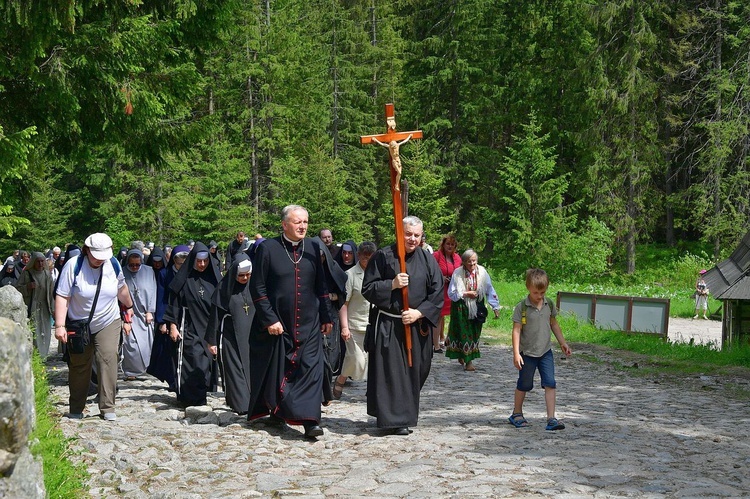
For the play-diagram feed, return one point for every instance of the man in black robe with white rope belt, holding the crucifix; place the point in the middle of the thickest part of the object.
(393, 387)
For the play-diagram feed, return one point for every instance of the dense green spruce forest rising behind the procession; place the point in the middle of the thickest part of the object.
(557, 133)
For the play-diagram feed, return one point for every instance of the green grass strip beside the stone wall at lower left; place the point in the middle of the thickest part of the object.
(62, 479)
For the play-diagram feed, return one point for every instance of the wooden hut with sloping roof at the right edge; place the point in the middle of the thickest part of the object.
(729, 282)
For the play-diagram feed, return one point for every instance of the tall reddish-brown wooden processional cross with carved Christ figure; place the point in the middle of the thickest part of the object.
(393, 140)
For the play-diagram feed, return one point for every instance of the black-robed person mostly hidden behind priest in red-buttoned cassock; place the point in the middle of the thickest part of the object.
(336, 282)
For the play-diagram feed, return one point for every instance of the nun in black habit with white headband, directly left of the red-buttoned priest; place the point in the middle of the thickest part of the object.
(228, 335)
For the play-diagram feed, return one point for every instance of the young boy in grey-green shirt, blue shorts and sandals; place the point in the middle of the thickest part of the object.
(533, 319)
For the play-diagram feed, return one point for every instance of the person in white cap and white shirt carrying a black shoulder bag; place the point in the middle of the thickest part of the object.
(89, 288)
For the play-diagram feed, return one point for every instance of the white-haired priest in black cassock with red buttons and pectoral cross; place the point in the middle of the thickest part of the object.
(291, 315)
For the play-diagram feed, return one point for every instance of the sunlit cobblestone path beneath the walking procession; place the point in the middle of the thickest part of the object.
(627, 435)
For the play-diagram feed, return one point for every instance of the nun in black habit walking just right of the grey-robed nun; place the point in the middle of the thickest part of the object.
(187, 318)
